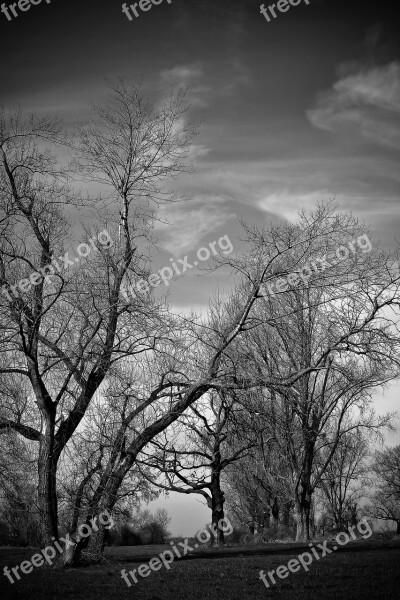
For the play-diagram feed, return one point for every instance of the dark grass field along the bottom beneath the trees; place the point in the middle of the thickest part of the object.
(365, 569)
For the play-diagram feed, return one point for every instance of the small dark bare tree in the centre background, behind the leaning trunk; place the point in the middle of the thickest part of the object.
(192, 457)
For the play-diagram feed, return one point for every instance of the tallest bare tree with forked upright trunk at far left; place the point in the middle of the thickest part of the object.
(63, 328)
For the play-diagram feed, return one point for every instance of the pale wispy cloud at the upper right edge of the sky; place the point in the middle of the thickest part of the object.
(367, 103)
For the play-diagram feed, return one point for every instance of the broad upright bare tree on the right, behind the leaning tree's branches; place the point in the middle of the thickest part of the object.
(332, 326)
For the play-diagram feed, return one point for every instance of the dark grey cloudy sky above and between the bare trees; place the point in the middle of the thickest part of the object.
(300, 109)
